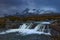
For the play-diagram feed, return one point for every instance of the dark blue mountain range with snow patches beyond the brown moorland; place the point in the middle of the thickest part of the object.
(34, 12)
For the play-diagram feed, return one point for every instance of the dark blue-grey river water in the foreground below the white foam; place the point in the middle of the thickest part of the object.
(16, 36)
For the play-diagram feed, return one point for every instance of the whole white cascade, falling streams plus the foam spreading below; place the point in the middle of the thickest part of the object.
(25, 29)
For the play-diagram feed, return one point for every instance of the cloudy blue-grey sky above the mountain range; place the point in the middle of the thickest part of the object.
(13, 6)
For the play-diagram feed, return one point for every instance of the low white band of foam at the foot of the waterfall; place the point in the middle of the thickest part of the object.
(24, 31)
